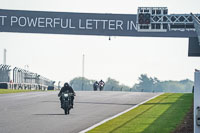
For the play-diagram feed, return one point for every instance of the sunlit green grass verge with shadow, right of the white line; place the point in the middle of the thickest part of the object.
(160, 115)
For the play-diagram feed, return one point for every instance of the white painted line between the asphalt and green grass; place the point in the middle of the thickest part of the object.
(112, 117)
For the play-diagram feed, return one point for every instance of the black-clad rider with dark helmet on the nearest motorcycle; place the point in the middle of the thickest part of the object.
(69, 89)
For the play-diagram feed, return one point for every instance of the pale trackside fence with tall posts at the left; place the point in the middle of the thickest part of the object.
(23, 79)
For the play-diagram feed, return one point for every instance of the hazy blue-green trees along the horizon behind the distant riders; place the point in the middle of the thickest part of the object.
(146, 84)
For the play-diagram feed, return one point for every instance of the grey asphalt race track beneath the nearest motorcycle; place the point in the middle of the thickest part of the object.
(40, 112)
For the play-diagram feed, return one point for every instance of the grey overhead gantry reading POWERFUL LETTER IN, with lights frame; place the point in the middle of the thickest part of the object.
(148, 22)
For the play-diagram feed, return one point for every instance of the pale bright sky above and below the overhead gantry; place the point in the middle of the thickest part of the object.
(59, 57)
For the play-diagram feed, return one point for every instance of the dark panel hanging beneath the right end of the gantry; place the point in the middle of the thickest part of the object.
(194, 47)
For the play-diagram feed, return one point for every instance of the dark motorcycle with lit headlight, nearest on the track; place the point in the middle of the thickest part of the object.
(66, 102)
